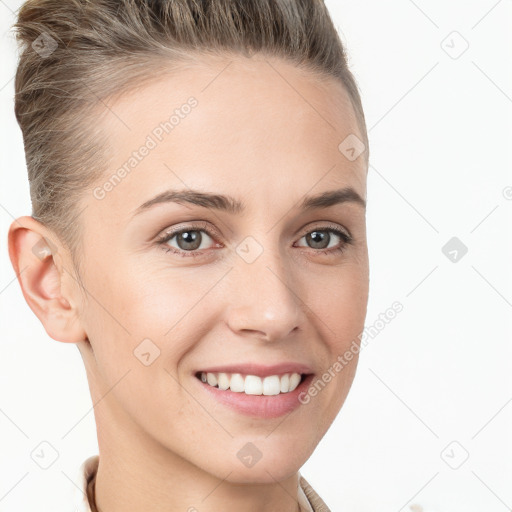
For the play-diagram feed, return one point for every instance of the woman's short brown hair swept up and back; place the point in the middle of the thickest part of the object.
(102, 48)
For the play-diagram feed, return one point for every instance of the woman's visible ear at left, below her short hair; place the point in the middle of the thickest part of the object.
(39, 260)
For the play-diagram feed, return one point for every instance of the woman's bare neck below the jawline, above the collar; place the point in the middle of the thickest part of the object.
(137, 473)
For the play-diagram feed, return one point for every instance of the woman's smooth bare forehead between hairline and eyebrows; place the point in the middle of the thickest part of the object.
(230, 123)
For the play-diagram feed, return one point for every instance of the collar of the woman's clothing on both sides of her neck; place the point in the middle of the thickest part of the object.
(308, 499)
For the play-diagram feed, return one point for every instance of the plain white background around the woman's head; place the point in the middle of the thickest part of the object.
(434, 386)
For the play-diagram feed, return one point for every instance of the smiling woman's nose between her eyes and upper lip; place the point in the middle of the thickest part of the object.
(266, 303)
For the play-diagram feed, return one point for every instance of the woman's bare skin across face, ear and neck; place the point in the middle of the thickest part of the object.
(253, 137)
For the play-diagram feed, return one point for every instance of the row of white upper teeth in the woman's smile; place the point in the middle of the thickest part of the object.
(252, 384)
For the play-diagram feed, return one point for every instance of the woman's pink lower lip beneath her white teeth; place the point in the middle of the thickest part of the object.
(261, 406)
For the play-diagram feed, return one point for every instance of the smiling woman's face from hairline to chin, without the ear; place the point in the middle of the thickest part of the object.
(258, 282)
